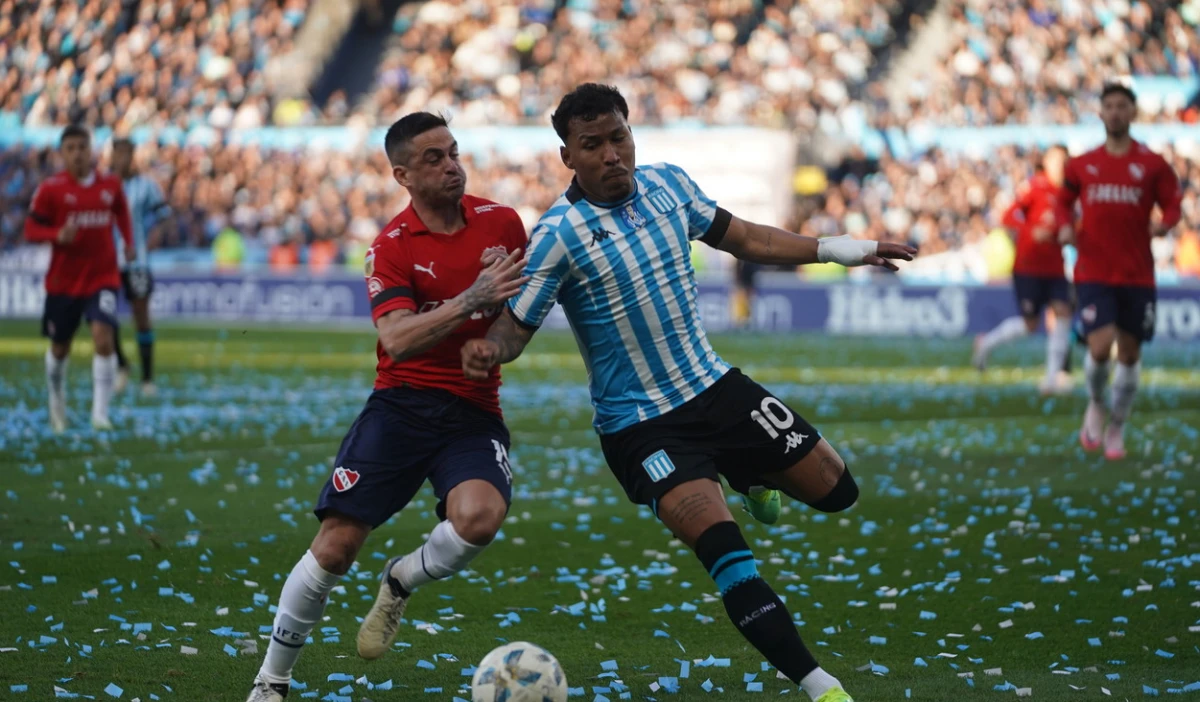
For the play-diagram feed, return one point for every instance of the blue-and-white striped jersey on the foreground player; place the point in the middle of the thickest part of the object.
(623, 274)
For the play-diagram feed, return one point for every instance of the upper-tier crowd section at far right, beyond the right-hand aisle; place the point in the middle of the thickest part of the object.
(1034, 62)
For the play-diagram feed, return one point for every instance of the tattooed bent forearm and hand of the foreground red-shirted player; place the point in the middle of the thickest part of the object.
(405, 334)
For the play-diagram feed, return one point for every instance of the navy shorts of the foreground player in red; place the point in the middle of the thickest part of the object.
(405, 436)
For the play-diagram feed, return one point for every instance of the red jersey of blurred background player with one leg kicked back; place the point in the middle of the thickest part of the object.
(1037, 208)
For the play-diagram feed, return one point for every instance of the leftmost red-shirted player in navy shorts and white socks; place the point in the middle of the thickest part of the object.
(75, 211)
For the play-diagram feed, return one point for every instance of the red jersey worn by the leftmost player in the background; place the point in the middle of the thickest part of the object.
(88, 265)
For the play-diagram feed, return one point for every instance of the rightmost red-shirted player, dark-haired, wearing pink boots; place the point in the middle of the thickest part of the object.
(1118, 185)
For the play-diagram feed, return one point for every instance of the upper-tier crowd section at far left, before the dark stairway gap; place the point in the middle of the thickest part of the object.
(151, 63)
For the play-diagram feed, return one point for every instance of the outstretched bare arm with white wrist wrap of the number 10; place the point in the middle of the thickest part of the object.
(776, 247)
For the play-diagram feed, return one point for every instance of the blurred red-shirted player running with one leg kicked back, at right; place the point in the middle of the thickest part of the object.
(1040, 279)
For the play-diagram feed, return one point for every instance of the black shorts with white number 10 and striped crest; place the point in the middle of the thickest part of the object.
(736, 430)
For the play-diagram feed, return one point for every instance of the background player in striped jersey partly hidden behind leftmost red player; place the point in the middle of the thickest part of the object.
(148, 211)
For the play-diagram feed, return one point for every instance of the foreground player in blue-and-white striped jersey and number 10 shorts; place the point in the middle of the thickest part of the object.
(673, 416)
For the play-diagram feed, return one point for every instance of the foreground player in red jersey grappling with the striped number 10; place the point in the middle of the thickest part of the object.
(437, 277)
